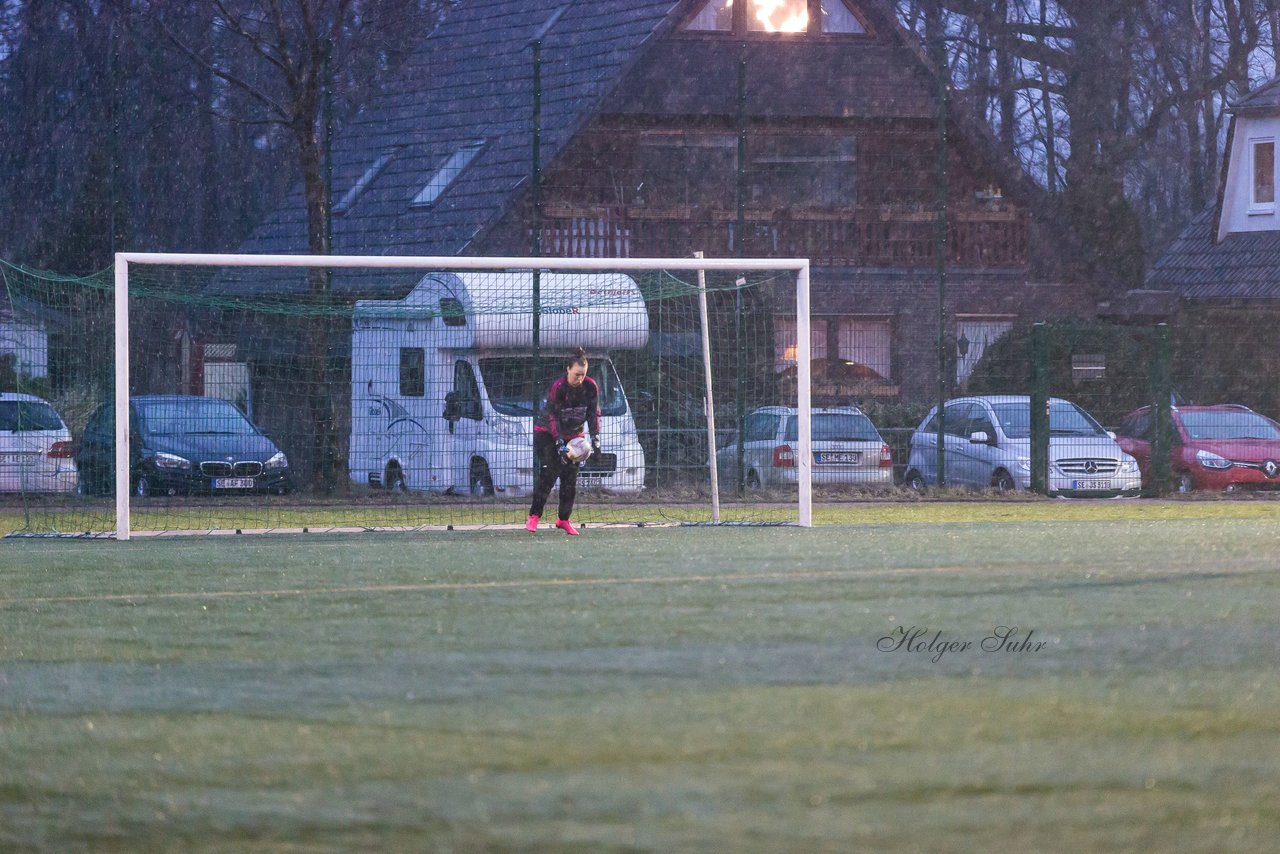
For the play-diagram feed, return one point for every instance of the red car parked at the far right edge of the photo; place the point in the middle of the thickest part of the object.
(1226, 447)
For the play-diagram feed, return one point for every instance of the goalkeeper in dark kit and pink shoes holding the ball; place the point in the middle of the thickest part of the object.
(573, 404)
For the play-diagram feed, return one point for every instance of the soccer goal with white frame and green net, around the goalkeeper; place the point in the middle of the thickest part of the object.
(310, 394)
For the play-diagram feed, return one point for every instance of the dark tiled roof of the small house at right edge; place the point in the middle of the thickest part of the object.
(1244, 267)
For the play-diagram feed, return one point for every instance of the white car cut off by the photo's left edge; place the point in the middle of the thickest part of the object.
(36, 453)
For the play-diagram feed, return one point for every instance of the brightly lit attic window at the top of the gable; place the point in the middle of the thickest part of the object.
(829, 17)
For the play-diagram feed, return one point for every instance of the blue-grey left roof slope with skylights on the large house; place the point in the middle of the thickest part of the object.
(472, 80)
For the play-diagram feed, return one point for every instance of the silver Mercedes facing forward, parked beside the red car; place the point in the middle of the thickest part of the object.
(989, 446)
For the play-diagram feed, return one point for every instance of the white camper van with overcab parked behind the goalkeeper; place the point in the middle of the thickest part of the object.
(445, 382)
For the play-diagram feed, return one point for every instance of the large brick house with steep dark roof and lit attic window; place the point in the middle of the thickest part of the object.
(646, 107)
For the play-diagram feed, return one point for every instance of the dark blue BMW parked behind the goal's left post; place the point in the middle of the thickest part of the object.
(182, 445)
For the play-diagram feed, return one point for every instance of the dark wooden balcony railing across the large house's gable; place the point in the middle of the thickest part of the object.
(857, 238)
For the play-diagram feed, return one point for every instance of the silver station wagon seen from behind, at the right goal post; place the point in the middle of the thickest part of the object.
(847, 449)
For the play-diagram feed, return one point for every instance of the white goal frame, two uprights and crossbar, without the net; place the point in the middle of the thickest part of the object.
(125, 261)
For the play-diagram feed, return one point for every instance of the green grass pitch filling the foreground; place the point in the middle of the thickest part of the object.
(738, 689)
